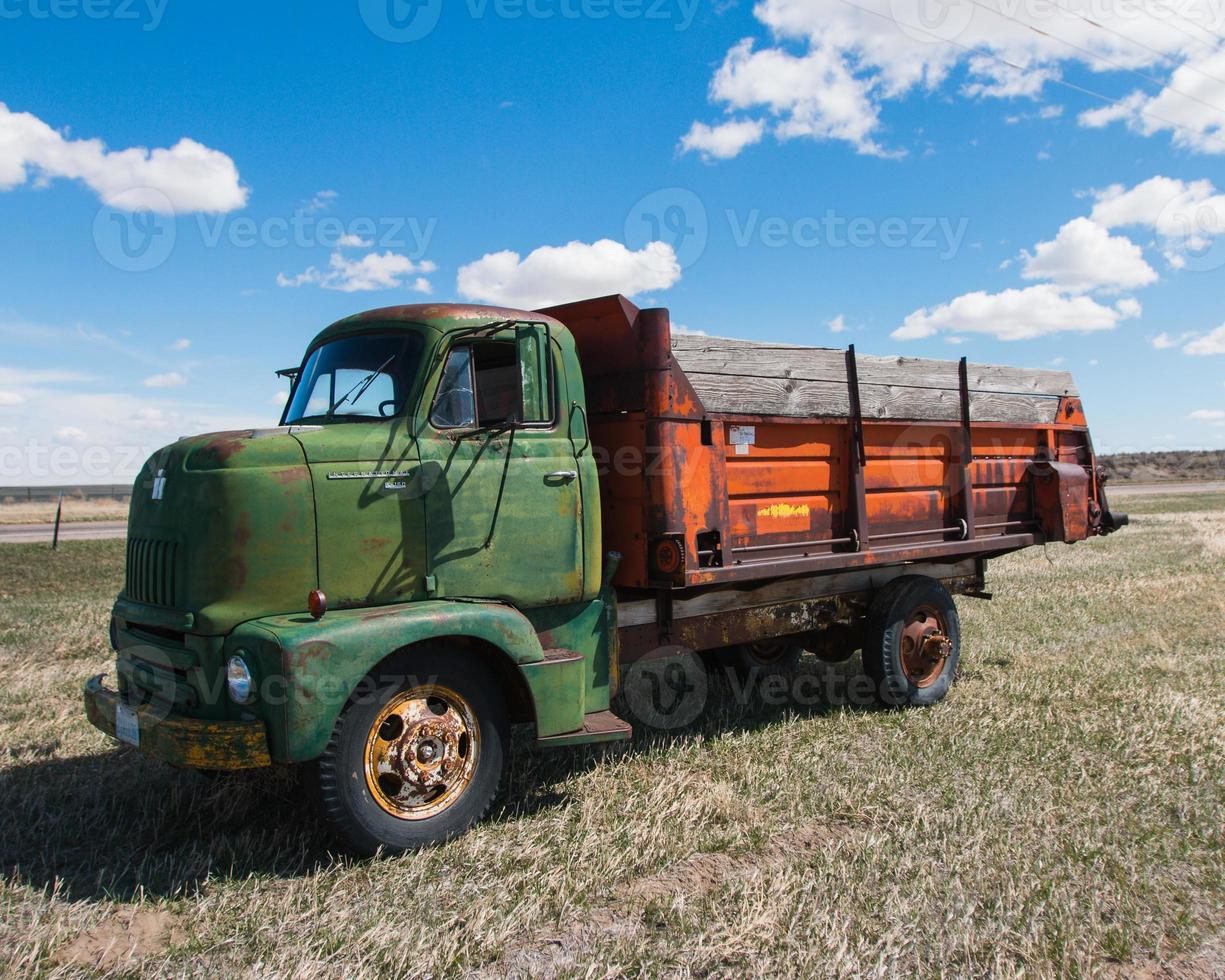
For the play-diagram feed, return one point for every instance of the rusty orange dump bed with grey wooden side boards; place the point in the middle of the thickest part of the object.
(728, 461)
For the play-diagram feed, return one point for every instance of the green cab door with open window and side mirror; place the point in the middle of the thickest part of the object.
(503, 513)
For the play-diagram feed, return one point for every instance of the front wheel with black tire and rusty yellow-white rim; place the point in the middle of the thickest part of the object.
(372, 808)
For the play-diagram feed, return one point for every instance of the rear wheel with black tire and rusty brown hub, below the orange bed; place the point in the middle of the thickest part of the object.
(921, 672)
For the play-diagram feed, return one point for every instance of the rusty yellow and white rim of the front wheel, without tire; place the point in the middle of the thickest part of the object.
(422, 753)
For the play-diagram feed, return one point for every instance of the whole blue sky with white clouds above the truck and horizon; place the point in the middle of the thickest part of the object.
(190, 192)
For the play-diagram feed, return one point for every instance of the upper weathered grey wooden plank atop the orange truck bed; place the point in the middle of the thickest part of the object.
(738, 358)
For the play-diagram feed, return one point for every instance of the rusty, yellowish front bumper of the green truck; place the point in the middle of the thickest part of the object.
(183, 742)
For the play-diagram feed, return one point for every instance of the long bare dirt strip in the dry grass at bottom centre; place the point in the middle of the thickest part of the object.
(546, 954)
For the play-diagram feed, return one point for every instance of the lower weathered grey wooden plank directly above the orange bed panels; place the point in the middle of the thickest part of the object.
(798, 398)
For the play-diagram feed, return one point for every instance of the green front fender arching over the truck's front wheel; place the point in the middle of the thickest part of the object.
(307, 671)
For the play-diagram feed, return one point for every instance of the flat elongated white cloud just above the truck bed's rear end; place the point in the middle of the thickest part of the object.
(1016, 315)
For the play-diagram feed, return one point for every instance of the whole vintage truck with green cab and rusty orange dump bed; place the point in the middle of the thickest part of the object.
(471, 518)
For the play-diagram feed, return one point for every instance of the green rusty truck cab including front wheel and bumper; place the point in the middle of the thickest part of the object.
(380, 585)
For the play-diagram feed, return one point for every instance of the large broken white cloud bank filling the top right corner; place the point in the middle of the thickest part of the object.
(826, 68)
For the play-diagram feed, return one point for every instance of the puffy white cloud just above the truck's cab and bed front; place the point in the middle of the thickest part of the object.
(553, 275)
